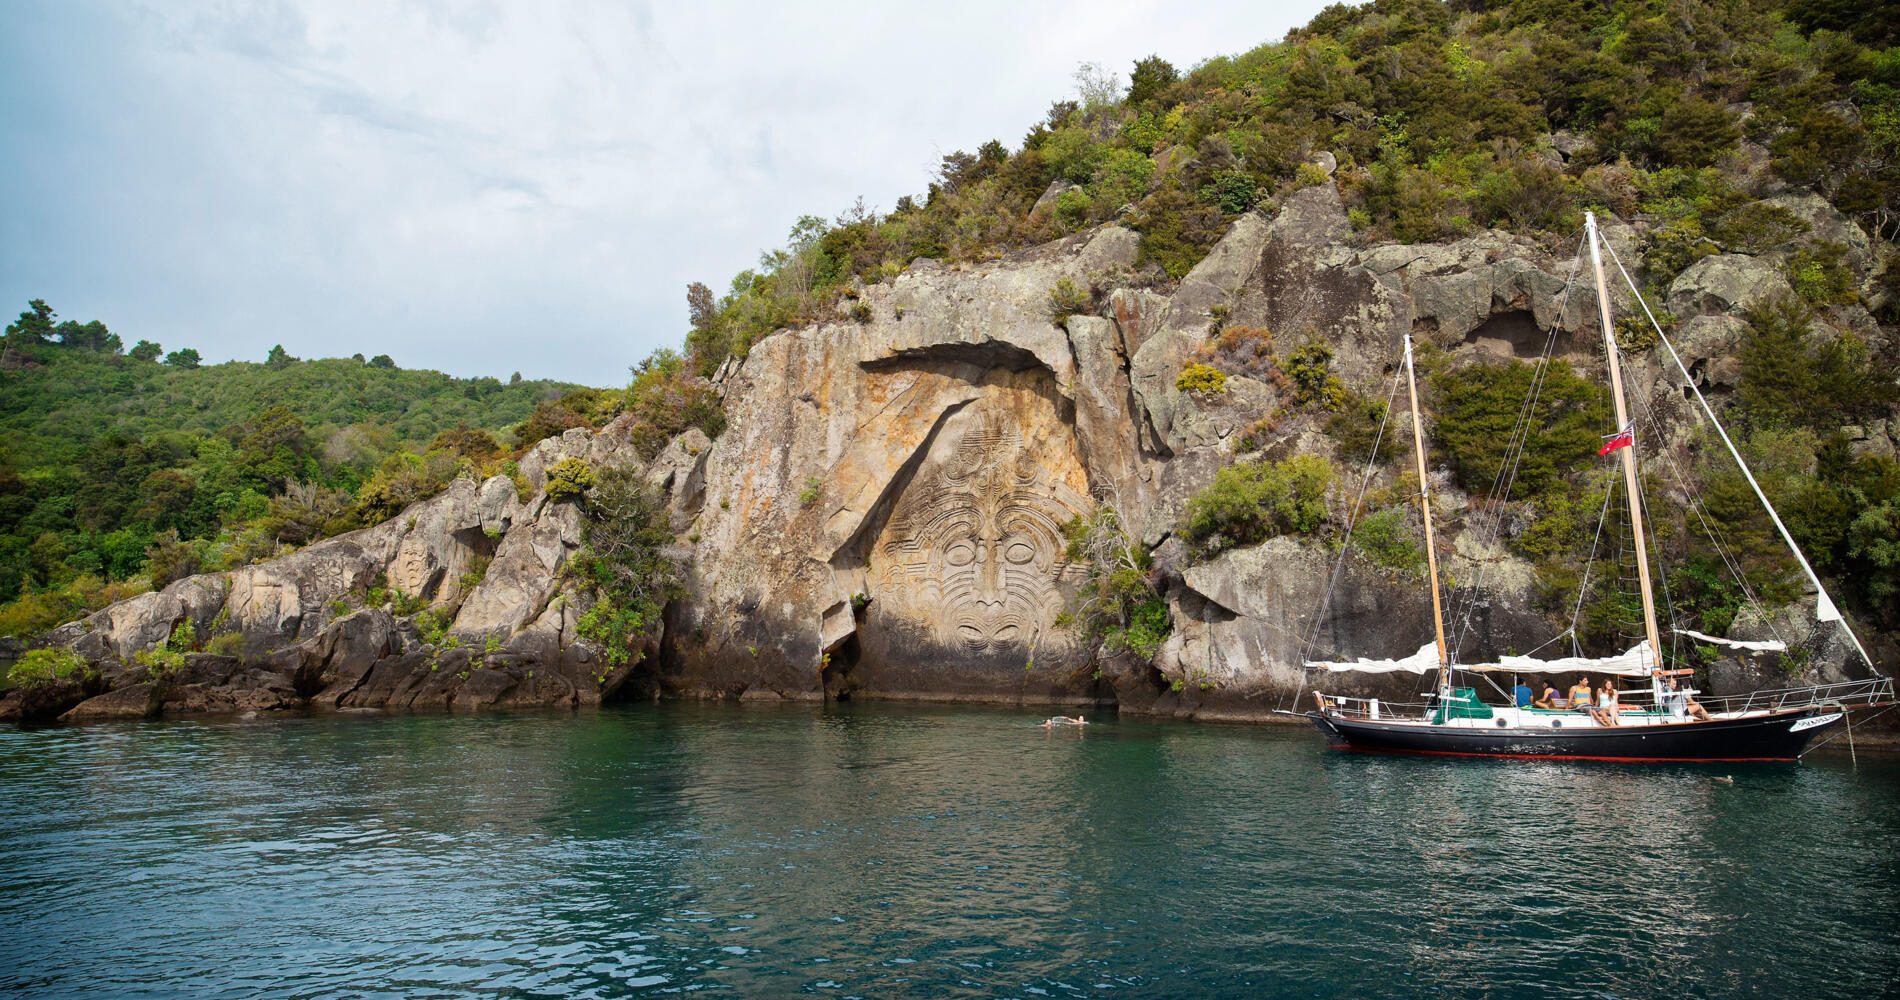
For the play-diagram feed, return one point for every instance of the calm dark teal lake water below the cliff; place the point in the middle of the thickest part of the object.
(883, 851)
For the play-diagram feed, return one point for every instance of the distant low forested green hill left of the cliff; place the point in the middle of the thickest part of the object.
(115, 467)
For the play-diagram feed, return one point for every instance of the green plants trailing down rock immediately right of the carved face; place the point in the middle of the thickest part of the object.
(1118, 604)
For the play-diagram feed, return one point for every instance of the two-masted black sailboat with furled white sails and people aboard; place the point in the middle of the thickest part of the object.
(1658, 721)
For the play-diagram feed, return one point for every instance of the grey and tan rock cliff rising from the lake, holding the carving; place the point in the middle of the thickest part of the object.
(884, 514)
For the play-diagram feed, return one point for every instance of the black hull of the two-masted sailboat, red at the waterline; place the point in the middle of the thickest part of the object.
(1779, 737)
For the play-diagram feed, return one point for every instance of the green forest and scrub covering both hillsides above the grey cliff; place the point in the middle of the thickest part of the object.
(1688, 123)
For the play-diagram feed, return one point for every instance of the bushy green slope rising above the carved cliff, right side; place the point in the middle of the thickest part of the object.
(1701, 126)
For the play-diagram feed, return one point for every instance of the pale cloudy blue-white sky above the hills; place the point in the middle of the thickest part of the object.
(495, 187)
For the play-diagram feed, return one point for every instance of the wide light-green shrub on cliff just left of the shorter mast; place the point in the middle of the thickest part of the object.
(1257, 501)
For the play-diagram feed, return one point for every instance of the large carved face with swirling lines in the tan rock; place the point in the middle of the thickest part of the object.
(974, 552)
